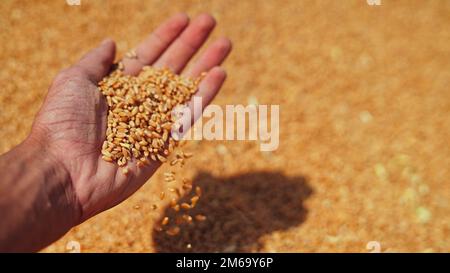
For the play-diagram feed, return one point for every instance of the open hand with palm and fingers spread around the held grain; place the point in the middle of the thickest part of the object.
(72, 119)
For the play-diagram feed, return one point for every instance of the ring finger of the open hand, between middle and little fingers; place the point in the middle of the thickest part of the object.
(214, 55)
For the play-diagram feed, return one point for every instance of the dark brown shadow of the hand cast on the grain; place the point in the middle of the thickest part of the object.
(239, 210)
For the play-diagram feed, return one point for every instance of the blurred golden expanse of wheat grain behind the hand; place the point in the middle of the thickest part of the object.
(365, 121)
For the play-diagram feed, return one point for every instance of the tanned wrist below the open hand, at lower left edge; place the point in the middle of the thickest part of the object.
(38, 204)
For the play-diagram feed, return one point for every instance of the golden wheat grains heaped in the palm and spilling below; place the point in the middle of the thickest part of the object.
(139, 124)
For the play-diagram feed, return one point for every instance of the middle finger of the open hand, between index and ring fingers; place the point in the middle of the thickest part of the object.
(181, 51)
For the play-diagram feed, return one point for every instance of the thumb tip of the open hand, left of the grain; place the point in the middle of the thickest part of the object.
(97, 62)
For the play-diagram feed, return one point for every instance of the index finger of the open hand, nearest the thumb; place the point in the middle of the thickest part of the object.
(154, 45)
